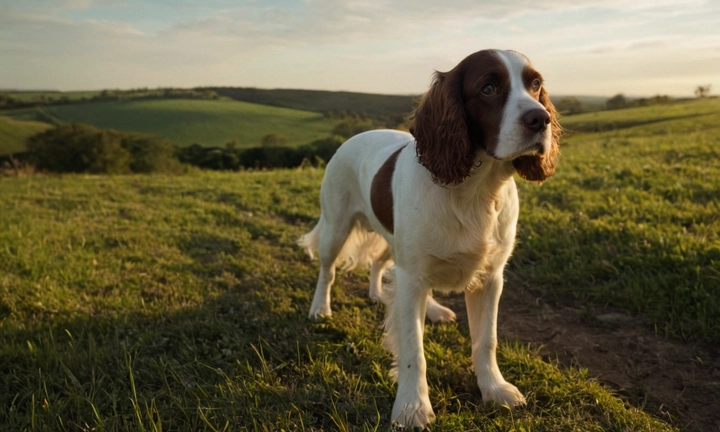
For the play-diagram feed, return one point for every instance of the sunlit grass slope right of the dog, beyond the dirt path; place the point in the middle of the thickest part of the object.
(631, 219)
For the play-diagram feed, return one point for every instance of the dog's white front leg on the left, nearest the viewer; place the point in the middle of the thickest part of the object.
(405, 330)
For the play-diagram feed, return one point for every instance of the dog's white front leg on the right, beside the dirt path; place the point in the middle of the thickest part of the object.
(482, 308)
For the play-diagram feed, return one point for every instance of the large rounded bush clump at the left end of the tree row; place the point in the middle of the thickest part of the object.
(81, 148)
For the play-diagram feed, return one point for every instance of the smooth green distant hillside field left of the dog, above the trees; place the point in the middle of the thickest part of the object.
(185, 121)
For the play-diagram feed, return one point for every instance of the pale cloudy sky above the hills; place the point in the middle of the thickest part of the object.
(581, 47)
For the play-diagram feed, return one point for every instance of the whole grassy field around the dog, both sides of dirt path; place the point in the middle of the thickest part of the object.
(180, 302)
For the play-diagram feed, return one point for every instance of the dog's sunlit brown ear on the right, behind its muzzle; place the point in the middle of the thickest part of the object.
(540, 167)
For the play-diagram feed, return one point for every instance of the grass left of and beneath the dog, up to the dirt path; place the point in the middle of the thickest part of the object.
(179, 303)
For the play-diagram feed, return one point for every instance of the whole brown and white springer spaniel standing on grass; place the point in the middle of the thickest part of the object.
(442, 206)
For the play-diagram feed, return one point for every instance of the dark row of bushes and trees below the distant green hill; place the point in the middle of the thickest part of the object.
(79, 148)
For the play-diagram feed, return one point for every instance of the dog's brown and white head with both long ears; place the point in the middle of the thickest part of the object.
(492, 100)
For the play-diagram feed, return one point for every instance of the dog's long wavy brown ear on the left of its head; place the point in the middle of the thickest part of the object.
(439, 126)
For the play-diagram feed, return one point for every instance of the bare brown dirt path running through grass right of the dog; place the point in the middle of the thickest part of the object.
(674, 381)
